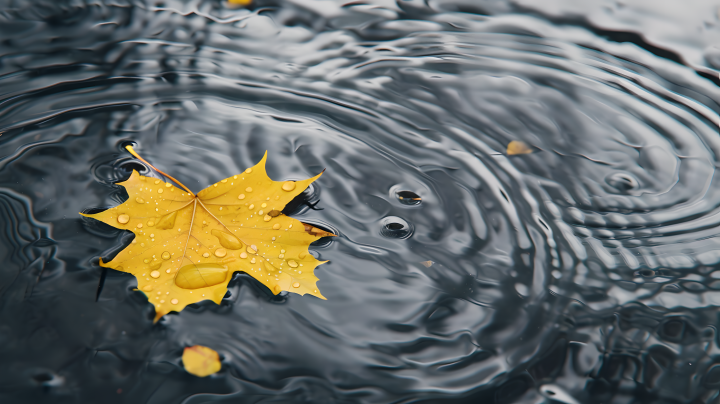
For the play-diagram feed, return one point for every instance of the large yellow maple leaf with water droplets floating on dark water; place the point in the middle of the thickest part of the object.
(187, 246)
